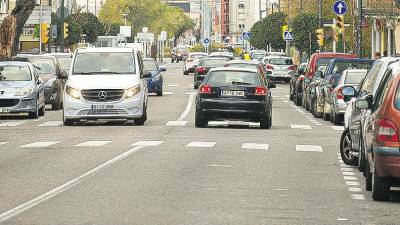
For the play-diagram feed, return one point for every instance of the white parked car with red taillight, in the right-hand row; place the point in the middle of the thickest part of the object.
(338, 102)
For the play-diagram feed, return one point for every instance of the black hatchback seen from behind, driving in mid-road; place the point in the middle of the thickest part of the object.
(234, 93)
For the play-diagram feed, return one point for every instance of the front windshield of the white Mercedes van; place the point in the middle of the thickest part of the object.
(95, 63)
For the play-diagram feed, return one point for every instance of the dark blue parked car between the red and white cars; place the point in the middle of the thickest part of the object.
(322, 99)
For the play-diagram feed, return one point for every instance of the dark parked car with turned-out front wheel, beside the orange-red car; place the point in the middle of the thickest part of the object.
(367, 90)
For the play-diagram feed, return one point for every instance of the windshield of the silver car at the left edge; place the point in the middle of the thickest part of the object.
(15, 73)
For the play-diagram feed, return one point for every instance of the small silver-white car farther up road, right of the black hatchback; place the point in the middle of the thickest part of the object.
(280, 68)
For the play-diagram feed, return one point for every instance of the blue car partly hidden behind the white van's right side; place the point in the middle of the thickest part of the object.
(155, 82)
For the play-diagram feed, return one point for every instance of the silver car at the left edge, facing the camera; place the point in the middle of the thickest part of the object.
(21, 89)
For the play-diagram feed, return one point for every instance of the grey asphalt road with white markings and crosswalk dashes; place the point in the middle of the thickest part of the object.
(169, 172)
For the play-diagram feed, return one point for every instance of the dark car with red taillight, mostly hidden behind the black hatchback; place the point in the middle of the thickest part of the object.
(204, 66)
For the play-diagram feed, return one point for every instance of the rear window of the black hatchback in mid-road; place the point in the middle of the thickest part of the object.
(233, 77)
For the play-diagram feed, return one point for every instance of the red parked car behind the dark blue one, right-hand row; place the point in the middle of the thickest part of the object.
(316, 61)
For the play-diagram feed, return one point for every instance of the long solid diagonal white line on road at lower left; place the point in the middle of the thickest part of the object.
(60, 189)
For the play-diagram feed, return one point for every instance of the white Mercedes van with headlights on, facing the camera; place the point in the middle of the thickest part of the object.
(106, 83)
